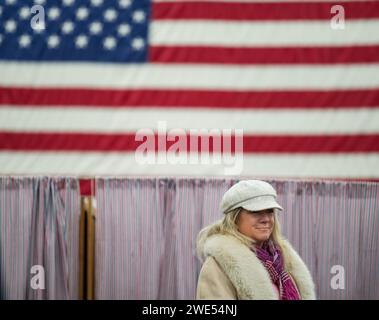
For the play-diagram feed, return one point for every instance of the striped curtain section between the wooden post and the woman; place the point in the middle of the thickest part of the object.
(145, 232)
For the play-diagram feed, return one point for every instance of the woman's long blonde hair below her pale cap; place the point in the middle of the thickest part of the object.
(228, 226)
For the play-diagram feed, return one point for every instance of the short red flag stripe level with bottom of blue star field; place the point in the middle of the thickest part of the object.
(291, 55)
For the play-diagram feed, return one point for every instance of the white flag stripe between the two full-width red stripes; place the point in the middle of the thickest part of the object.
(358, 120)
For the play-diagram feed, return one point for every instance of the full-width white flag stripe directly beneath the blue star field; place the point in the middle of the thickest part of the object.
(156, 76)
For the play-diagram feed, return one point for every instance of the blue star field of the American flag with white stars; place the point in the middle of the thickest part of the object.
(74, 30)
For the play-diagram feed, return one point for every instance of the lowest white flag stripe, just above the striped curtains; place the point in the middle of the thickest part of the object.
(87, 164)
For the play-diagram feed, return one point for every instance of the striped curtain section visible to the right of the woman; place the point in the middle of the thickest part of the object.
(334, 226)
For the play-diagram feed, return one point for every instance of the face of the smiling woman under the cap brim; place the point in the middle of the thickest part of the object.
(257, 225)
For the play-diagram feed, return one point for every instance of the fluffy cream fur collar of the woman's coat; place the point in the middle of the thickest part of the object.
(247, 273)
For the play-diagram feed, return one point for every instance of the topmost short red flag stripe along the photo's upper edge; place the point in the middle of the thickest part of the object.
(262, 11)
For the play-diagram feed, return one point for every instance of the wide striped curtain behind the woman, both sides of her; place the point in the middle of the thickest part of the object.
(146, 231)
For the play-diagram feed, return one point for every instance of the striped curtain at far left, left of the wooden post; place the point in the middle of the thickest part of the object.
(39, 224)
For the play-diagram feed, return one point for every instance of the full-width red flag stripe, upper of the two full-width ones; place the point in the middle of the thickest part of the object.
(189, 98)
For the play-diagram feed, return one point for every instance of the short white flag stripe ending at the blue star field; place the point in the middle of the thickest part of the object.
(263, 33)
